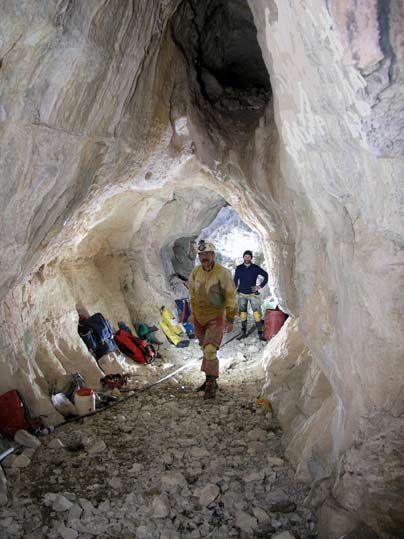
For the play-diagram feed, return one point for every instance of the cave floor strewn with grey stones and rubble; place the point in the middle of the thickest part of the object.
(165, 464)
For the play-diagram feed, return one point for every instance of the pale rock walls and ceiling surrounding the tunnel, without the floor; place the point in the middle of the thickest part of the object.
(124, 125)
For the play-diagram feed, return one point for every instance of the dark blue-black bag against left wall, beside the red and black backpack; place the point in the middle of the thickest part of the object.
(97, 334)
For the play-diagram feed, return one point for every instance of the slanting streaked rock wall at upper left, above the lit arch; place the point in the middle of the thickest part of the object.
(70, 122)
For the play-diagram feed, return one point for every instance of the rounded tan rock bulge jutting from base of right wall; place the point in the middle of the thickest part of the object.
(303, 400)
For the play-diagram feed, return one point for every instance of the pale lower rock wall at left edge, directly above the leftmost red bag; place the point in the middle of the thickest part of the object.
(39, 340)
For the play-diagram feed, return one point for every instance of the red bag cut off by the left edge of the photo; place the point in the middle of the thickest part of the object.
(14, 415)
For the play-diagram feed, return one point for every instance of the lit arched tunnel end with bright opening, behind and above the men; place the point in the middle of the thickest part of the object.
(134, 265)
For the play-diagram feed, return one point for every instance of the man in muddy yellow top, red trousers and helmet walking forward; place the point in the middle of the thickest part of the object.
(213, 300)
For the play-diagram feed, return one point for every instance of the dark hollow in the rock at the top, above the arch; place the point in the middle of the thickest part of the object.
(219, 41)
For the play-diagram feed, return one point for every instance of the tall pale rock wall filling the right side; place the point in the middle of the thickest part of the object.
(337, 85)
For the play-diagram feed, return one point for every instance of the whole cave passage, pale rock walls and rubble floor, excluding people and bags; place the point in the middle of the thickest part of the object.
(126, 127)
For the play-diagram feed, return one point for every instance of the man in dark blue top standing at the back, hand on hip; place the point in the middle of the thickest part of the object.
(245, 280)
